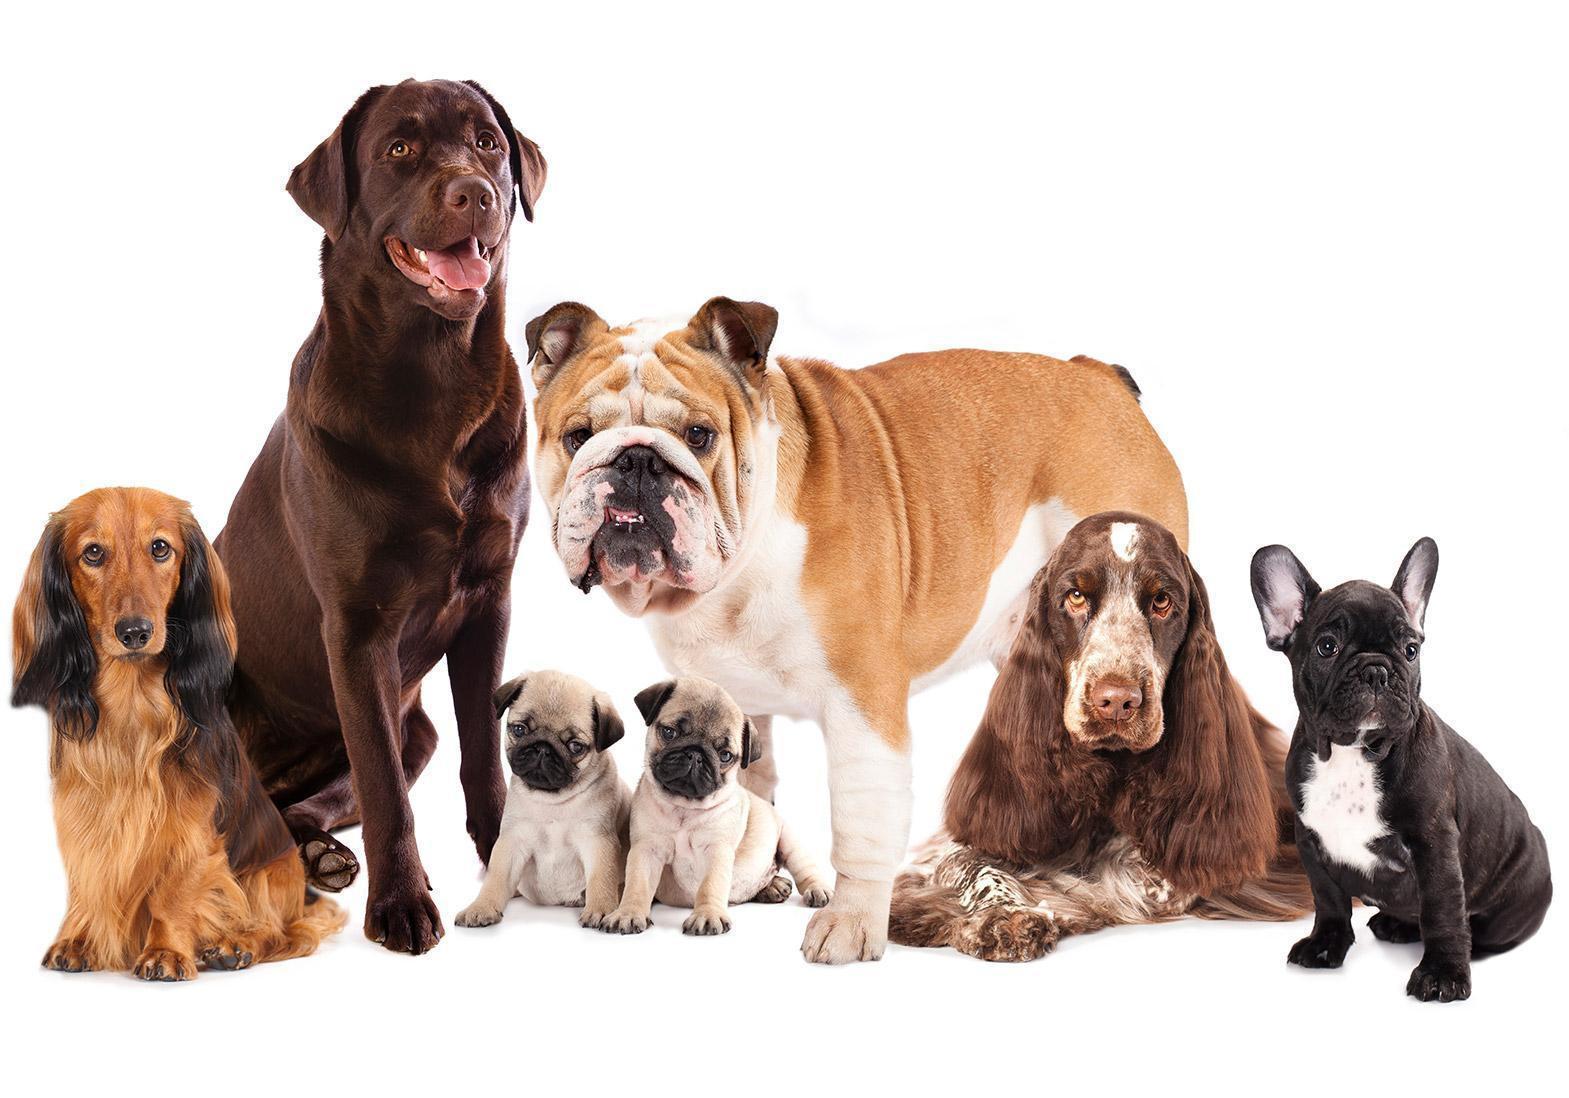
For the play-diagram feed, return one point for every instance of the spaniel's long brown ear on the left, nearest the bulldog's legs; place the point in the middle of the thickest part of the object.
(1025, 791)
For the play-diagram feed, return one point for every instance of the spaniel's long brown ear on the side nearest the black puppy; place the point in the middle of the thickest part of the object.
(1204, 812)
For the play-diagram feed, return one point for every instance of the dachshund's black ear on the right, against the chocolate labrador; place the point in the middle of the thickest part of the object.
(202, 639)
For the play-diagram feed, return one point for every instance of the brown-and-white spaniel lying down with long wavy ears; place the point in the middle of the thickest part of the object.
(1119, 774)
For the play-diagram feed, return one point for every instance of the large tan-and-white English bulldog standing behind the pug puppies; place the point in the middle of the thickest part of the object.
(821, 542)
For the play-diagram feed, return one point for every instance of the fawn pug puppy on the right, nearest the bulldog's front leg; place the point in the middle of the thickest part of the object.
(702, 840)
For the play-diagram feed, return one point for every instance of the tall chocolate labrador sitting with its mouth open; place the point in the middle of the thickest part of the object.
(377, 529)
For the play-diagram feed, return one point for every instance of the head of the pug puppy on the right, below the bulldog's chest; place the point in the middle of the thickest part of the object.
(699, 741)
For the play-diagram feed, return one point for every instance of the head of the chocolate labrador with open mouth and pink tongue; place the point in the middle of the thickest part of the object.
(417, 191)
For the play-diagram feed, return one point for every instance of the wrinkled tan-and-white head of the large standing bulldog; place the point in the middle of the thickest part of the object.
(655, 448)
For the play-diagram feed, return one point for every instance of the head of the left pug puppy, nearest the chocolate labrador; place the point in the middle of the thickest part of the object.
(558, 730)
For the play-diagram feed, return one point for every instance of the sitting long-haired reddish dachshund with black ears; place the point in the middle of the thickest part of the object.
(173, 854)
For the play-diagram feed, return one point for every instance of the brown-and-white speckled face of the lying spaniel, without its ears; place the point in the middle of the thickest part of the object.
(1119, 609)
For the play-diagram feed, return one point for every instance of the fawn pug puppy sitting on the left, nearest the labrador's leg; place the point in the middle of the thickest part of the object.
(564, 831)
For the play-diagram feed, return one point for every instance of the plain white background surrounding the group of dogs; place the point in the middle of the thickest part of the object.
(1330, 245)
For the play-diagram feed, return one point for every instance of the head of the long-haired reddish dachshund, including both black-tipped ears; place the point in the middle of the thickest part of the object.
(122, 575)
